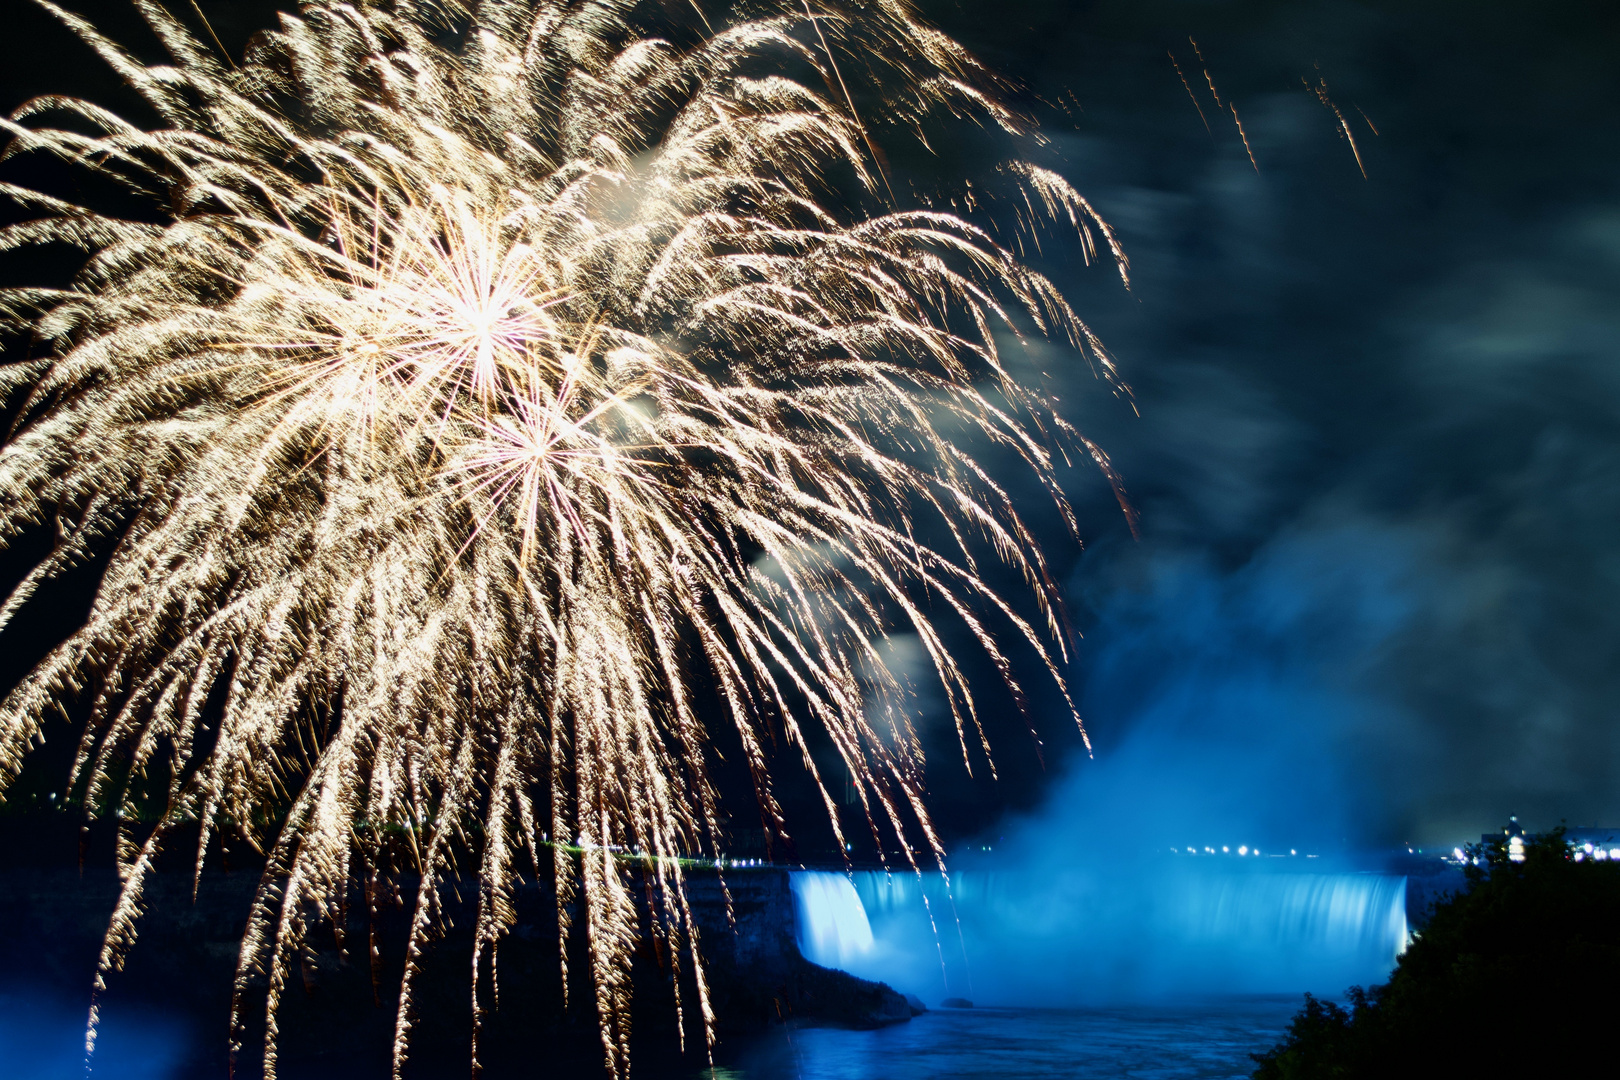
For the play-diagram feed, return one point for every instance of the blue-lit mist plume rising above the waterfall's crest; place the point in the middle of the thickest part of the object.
(1238, 707)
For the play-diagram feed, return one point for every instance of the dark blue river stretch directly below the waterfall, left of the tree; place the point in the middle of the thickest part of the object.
(1169, 1042)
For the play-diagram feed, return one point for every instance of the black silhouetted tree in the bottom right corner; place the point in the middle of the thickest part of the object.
(1519, 976)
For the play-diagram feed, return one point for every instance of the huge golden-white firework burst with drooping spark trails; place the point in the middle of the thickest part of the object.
(467, 401)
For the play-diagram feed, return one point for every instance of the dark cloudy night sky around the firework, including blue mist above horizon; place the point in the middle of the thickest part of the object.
(1376, 430)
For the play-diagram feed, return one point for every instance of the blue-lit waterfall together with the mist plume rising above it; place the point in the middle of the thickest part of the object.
(1234, 702)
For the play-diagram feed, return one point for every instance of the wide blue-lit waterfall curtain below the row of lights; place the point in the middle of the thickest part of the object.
(1111, 933)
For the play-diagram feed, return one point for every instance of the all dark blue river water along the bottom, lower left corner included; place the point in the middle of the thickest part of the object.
(1198, 1040)
